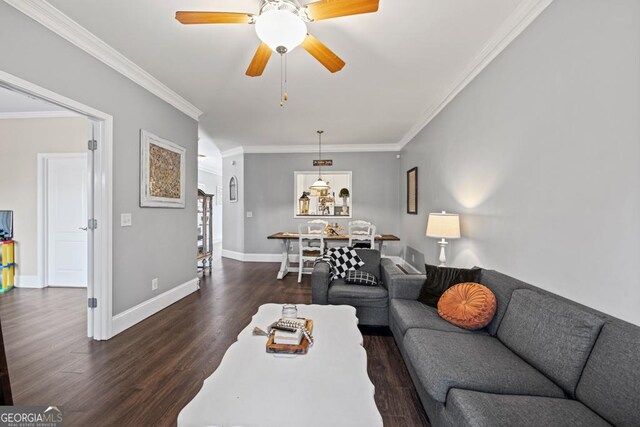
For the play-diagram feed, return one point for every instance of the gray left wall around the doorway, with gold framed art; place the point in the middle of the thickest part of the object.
(162, 242)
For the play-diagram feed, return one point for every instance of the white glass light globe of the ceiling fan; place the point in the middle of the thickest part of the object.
(281, 28)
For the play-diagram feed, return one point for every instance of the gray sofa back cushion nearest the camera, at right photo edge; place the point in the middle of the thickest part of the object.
(610, 383)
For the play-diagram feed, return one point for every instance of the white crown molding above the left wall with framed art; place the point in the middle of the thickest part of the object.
(52, 18)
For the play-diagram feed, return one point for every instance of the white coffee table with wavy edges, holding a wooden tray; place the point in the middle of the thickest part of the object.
(328, 386)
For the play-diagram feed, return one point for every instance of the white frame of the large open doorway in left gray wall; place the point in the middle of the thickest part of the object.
(101, 264)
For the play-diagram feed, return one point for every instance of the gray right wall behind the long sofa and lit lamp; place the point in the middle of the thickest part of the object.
(541, 156)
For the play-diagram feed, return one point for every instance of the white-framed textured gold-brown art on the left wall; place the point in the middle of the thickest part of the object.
(162, 172)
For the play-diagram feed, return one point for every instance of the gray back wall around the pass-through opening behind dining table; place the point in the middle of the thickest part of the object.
(270, 194)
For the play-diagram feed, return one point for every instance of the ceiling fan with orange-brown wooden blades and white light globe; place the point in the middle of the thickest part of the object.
(281, 27)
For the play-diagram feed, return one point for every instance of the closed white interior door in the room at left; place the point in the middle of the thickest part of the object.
(66, 220)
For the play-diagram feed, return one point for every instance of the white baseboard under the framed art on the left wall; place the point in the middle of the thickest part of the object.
(137, 314)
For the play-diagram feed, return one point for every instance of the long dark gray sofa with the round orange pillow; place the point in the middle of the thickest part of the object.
(542, 361)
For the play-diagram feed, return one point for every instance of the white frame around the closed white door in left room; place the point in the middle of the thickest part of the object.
(43, 210)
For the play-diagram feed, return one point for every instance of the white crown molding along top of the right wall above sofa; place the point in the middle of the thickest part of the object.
(517, 22)
